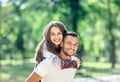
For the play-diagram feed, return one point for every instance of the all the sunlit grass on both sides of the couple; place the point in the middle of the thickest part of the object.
(17, 70)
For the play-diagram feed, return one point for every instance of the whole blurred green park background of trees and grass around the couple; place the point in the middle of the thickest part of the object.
(21, 28)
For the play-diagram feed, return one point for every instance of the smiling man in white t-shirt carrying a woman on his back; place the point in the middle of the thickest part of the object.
(46, 71)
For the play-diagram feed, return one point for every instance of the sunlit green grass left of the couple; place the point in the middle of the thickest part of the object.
(15, 71)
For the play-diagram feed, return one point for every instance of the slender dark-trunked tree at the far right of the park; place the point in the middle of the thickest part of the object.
(112, 26)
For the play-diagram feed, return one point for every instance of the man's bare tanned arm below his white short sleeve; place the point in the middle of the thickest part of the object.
(34, 77)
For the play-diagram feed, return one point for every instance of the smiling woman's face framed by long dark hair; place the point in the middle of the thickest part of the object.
(56, 35)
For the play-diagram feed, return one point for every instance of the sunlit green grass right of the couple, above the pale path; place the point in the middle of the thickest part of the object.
(95, 69)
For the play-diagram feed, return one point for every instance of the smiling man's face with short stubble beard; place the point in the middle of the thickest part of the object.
(70, 45)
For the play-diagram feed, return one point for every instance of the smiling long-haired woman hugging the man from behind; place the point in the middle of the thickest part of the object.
(50, 45)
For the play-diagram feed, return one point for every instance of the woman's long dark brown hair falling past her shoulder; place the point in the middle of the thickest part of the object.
(50, 46)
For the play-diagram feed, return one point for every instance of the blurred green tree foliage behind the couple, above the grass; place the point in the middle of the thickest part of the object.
(23, 23)
